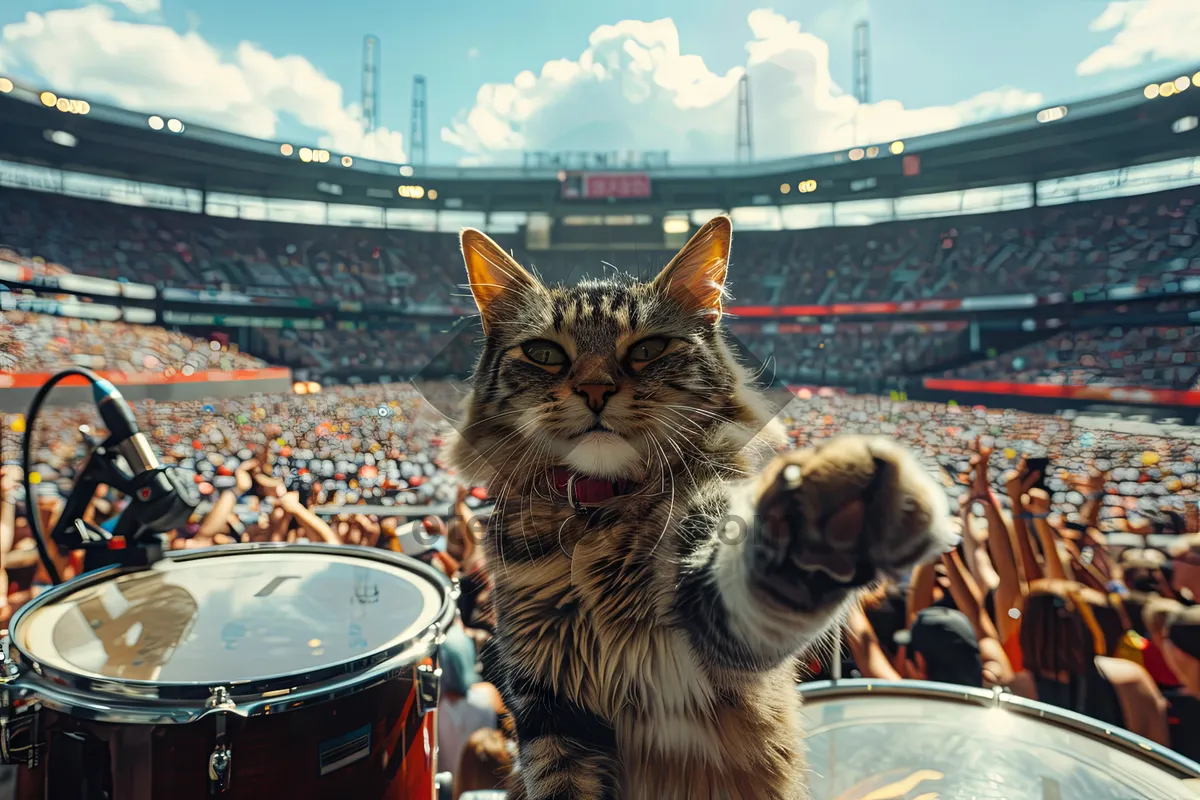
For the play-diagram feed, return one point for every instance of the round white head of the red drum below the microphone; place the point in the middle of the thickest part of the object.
(231, 617)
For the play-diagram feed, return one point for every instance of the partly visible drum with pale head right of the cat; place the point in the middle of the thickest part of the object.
(913, 739)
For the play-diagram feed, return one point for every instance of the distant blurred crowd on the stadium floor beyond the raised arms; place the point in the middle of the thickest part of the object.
(367, 444)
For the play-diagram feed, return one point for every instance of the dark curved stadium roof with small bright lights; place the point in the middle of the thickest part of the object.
(1129, 129)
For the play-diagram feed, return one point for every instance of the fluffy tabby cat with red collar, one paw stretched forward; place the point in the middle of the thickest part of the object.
(656, 575)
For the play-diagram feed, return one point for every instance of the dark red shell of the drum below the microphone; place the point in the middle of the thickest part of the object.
(274, 756)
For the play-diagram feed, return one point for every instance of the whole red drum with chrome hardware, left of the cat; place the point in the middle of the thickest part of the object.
(250, 671)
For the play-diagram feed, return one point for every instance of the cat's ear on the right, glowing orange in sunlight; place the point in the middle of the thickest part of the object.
(695, 278)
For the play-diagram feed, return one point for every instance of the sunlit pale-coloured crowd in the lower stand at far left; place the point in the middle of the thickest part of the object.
(33, 342)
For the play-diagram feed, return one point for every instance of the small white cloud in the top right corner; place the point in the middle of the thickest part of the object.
(1147, 31)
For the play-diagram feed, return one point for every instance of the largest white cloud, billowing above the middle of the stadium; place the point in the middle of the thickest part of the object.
(634, 88)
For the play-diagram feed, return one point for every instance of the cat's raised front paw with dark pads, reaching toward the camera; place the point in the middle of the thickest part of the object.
(839, 518)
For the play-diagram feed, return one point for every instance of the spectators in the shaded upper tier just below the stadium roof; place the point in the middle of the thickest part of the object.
(1148, 240)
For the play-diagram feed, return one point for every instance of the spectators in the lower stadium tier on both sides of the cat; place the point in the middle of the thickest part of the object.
(838, 354)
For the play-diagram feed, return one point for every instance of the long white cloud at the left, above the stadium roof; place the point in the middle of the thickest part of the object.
(89, 53)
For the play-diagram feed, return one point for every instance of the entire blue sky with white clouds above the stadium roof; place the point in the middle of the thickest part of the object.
(945, 62)
